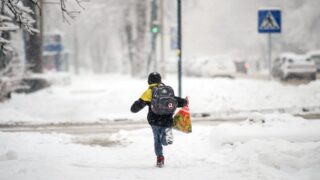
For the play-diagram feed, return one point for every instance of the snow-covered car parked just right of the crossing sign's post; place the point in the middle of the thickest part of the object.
(288, 65)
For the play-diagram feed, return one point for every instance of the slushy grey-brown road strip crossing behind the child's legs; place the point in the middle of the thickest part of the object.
(113, 127)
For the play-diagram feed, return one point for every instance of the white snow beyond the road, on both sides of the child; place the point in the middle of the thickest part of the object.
(96, 98)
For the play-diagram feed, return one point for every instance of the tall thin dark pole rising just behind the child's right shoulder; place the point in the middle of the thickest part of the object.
(179, 49)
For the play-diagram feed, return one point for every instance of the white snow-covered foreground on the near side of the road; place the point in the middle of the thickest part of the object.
(249, 150)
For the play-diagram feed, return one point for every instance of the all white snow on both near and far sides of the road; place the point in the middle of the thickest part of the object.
(270, 146)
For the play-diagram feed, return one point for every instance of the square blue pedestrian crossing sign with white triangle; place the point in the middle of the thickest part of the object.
(269, 21)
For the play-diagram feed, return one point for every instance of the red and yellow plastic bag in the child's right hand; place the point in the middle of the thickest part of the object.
(182, 120)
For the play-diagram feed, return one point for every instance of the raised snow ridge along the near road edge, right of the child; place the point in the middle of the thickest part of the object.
(268, 127)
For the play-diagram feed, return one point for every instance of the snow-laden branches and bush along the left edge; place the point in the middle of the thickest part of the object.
(14, 15)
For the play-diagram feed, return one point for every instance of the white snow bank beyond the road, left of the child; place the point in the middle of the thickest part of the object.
(88, 99)
